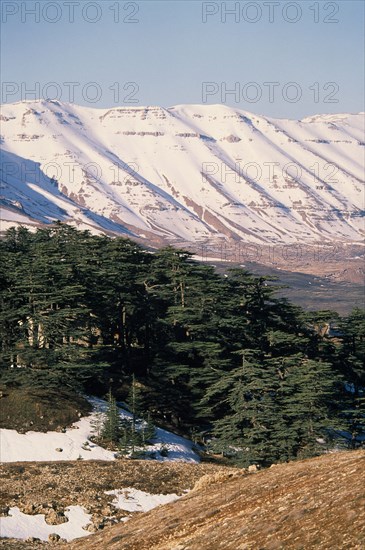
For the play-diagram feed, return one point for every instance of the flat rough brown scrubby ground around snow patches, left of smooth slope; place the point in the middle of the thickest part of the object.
(50, 487)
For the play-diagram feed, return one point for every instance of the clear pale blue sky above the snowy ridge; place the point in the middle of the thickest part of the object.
(284, 59)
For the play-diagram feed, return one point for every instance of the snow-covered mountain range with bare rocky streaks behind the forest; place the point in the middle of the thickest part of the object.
(190, 173)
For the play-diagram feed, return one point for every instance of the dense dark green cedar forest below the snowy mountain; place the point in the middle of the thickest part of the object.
(219, 358)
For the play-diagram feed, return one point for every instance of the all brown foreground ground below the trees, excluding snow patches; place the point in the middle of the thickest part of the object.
(312, 504)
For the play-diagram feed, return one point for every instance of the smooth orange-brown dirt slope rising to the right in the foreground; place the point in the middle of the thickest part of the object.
(316, 503)
